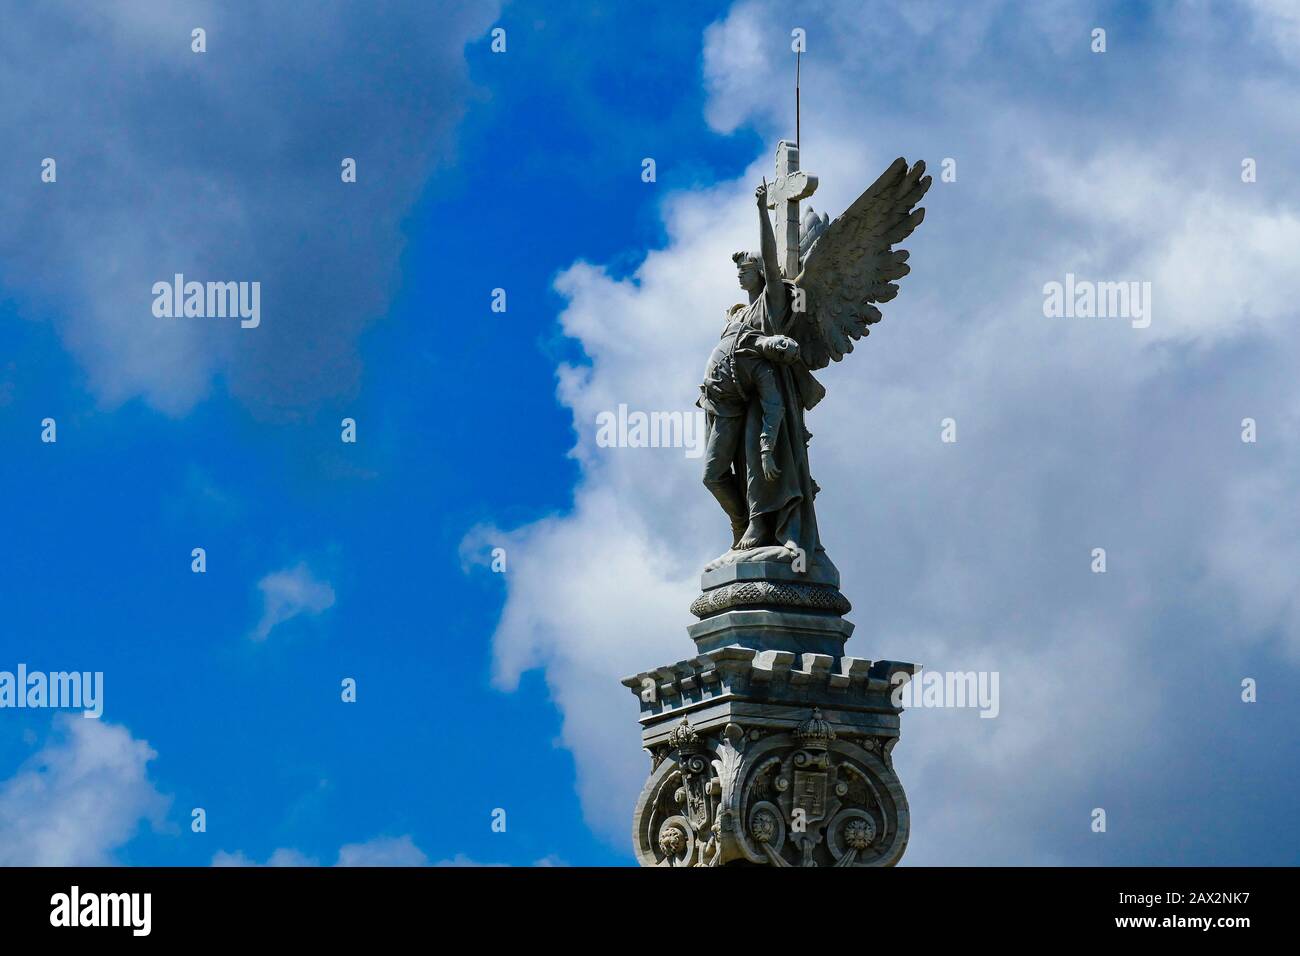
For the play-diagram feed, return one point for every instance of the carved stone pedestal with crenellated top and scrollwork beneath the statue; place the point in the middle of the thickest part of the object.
(770, 747)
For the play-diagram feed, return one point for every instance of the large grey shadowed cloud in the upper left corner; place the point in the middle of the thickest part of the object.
(223, 167)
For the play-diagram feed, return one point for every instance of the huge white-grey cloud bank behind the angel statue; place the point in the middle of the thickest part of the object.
(1072, 434)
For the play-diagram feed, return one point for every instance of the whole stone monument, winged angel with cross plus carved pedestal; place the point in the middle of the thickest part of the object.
(772, 747)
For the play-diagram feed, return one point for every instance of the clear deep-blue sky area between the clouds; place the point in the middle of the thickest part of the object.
(458, 423)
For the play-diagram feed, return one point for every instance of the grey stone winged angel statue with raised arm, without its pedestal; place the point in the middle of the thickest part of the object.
(759, 380)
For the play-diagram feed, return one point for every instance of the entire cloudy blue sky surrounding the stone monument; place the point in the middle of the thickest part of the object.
(523, 171)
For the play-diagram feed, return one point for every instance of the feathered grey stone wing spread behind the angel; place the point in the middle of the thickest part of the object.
(852, 265)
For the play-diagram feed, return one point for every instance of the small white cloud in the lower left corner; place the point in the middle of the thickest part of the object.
(80, 799)
